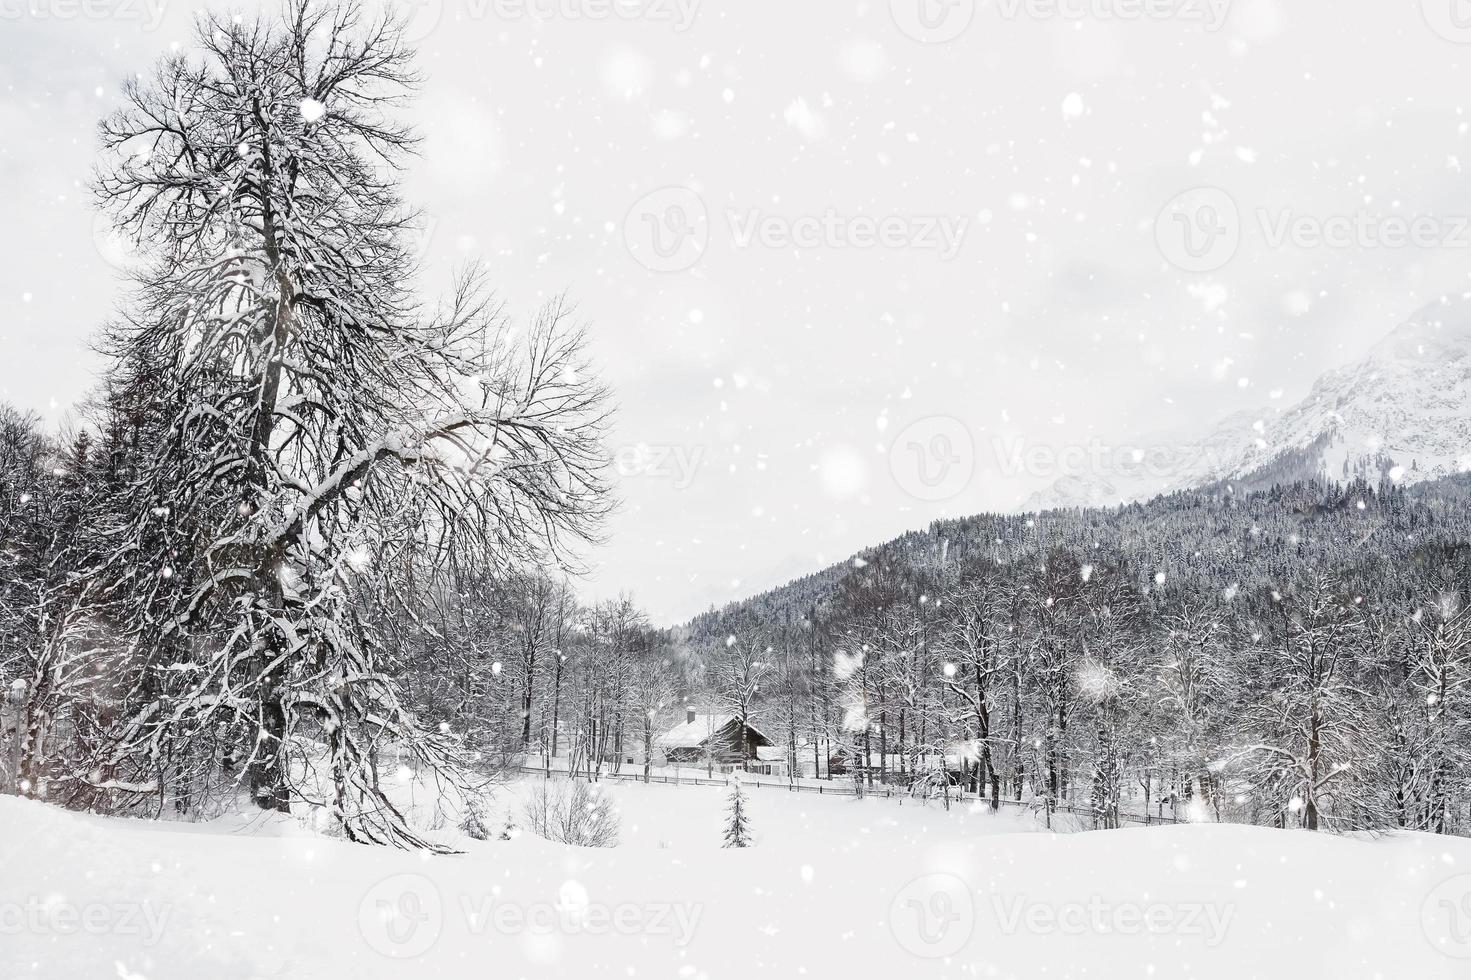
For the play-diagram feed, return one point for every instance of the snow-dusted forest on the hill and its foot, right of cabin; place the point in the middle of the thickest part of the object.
(1297, 657)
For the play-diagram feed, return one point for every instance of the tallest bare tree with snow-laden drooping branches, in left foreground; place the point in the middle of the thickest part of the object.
(320, 426)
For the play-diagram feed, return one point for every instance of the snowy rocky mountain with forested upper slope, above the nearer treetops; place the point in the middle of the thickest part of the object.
(1403, 413)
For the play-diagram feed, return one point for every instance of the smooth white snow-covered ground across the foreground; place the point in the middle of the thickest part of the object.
(835, 888)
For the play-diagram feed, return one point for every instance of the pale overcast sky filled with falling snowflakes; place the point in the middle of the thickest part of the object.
(770, 373)
